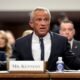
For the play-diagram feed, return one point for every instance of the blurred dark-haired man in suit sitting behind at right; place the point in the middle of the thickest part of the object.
(67, 30)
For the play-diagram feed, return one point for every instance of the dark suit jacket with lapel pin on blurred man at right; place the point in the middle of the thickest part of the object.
(76, 47)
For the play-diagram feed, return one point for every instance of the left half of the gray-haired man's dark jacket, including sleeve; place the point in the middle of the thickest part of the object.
(22, 48)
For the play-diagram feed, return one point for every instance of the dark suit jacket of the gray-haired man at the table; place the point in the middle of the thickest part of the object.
(60, 47)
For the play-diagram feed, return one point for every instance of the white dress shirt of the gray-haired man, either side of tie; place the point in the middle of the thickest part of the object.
(36, 50)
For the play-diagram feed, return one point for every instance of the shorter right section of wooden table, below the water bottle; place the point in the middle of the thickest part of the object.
(65, 76)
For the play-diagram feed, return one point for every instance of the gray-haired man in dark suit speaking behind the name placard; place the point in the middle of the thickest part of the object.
(44, 45)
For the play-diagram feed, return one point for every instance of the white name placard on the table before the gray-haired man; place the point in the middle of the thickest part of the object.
(26, 66)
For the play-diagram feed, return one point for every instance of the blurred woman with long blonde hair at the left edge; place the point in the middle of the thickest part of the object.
(5, 50)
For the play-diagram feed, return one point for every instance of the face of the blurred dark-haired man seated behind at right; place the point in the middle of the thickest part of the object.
(67, 30)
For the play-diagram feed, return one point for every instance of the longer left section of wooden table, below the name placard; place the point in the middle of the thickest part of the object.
(24, 76)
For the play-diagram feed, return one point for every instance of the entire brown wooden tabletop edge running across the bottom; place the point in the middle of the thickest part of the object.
(39, 76)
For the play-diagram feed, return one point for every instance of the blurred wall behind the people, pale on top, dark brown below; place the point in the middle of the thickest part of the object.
(14, 14)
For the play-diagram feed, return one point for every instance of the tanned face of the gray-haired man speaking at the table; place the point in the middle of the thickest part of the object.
(41, 23)
